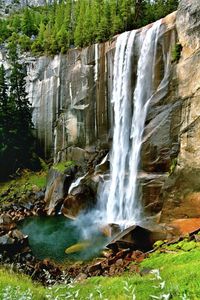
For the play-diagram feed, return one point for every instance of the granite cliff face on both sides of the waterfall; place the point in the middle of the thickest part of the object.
(73, 114)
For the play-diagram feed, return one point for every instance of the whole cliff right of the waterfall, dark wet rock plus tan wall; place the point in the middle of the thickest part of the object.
(173, 144)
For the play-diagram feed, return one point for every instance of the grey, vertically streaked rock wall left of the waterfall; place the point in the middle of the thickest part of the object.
(70, 94)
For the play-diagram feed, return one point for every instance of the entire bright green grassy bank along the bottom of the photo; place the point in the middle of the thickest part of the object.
(162, 276)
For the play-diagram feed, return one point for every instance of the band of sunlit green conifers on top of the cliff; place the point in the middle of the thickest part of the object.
(58, 27)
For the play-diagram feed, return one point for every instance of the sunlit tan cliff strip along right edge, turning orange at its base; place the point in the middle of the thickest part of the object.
(181, 193)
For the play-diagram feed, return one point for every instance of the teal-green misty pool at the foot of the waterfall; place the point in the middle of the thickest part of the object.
(49, 237)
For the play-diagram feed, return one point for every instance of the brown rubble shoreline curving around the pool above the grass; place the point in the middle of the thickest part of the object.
(17, 254)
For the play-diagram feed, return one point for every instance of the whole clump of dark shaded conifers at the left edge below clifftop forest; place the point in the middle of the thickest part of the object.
(16, 138)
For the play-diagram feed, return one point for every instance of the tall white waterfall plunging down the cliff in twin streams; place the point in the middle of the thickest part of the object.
(119, 195)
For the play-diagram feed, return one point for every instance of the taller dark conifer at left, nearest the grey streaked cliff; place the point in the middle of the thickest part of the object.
(22, 123)
